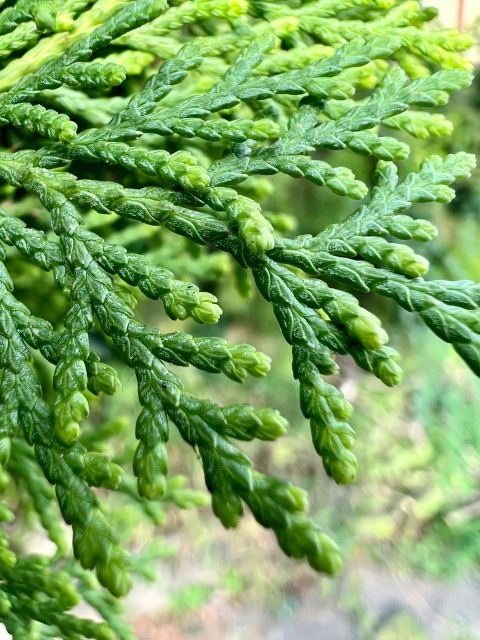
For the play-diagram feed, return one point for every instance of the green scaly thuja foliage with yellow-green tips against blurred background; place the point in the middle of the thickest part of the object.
(120, 114)
